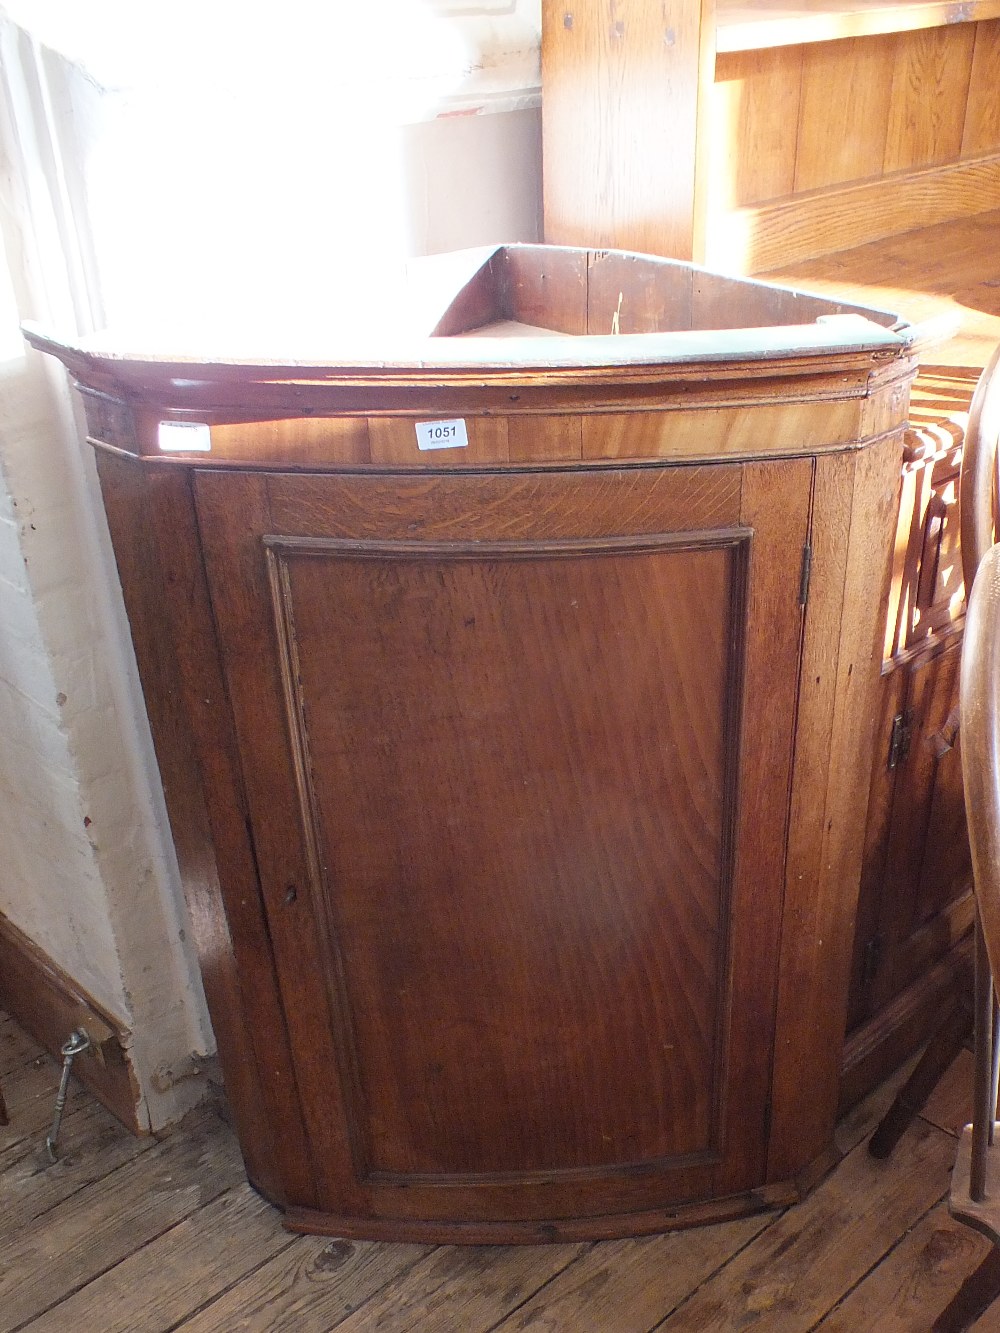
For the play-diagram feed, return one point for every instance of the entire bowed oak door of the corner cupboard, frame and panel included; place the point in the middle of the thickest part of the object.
(499, 736)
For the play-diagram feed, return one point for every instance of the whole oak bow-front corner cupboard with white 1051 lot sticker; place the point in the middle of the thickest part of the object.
(511, 678)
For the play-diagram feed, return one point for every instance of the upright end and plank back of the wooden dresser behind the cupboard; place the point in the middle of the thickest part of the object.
(750, 139)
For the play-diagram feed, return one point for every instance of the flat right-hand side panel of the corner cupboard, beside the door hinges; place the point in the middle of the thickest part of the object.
(838, 722)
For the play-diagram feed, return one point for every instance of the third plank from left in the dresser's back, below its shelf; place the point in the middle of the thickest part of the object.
(930, 87)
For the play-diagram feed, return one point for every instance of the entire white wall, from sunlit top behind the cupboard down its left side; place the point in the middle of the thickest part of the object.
(167, 161)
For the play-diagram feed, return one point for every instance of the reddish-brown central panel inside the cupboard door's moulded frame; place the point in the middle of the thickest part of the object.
(534, 879)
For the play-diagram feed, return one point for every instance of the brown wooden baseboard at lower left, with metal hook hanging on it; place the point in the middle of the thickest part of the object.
(50, 1006)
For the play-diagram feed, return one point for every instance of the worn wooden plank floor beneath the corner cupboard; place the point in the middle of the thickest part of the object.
(150, 1235)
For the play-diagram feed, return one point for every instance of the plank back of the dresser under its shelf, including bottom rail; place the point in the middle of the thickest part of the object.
(833, 145)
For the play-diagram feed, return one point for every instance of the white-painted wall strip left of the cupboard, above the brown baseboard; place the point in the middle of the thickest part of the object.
(89, 868)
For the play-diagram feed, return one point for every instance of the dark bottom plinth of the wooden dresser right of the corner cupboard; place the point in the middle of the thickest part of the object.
(877, 1048)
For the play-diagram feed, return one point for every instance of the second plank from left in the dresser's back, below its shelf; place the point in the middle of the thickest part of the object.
(845, 113)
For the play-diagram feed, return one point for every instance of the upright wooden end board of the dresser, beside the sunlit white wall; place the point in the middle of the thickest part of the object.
(615, 75)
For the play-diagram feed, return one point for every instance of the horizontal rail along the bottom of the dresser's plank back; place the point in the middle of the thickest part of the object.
(771, 237)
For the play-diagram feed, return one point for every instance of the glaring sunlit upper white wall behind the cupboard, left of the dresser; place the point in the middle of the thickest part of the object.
(215, 165)
